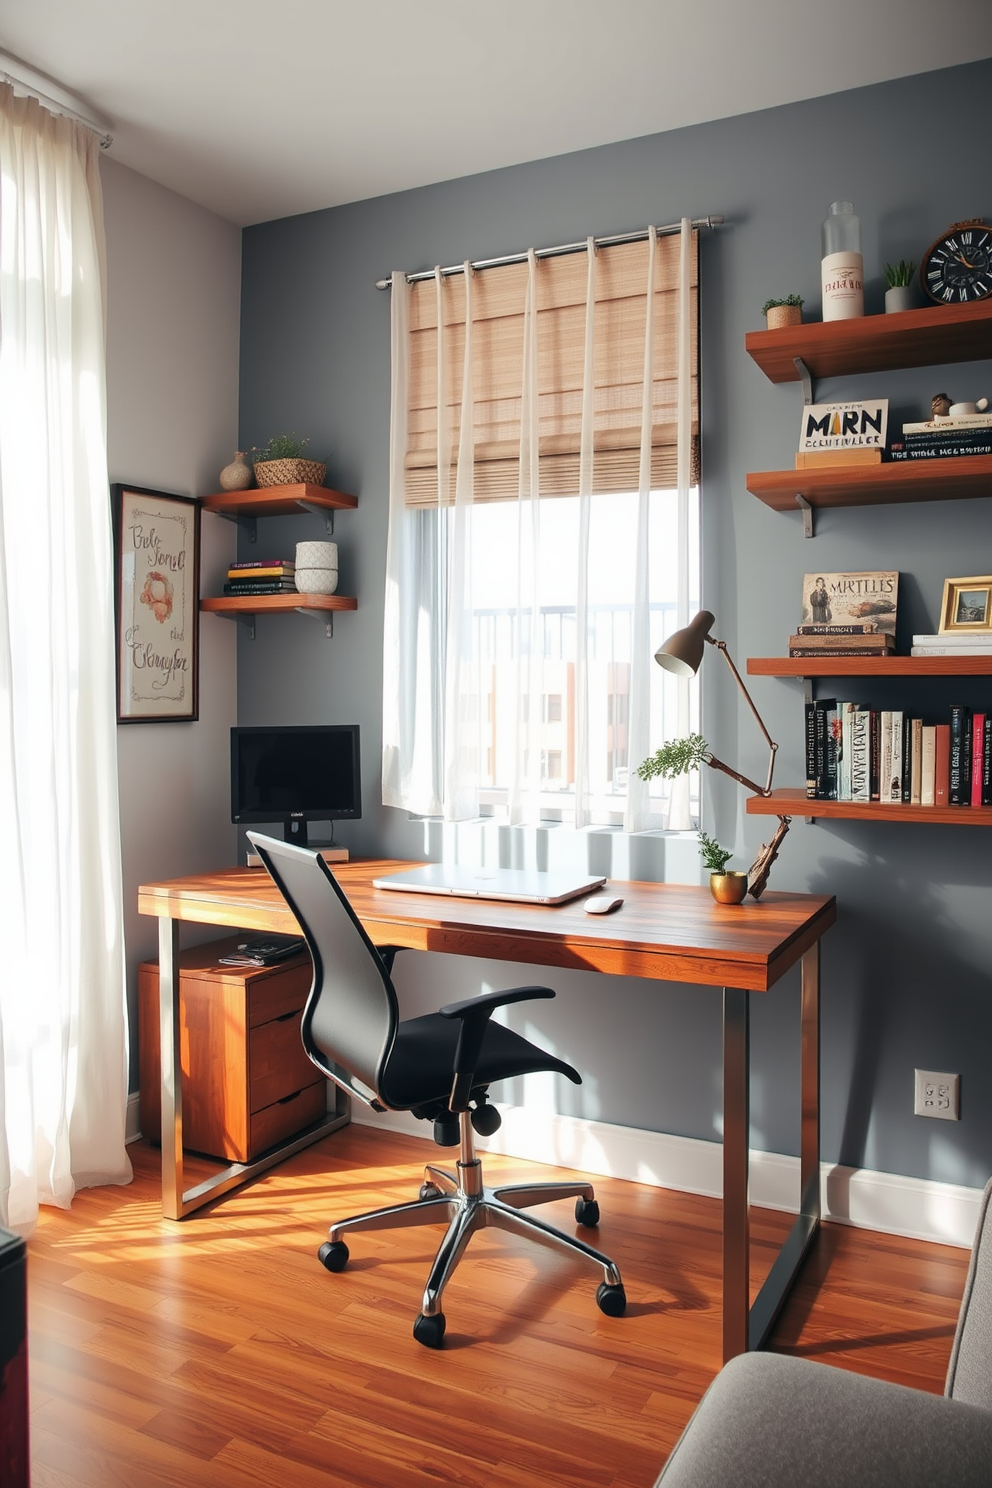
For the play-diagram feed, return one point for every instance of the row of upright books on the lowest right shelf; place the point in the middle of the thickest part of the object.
(856, 754)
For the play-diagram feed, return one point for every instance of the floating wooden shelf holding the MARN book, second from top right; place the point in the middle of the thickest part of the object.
(950, 480)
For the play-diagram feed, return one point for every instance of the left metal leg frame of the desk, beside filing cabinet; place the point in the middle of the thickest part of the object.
(178, 1203)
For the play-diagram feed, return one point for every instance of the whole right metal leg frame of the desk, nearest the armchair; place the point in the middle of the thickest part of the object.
(743, 1330)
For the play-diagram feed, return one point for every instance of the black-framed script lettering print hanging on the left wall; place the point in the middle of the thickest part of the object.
(157, 605)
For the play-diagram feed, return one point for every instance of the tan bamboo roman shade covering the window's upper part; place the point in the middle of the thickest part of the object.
(497, 368)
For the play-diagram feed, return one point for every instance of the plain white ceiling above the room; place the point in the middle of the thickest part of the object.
(261, 109)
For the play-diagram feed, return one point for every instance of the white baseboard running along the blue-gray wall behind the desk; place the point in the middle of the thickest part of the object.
(918, 1209)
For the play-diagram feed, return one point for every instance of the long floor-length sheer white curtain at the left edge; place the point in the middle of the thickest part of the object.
(63, 1063)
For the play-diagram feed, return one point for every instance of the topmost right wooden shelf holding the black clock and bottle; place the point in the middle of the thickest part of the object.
(912, 339)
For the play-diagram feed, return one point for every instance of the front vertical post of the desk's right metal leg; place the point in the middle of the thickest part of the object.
(737, 1121)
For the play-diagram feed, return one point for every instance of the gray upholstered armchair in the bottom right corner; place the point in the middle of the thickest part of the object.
(776, 1422)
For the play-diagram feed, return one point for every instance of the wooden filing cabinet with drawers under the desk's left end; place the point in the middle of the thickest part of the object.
(248, 1083)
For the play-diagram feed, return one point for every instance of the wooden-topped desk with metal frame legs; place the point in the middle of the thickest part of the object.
(667, 932)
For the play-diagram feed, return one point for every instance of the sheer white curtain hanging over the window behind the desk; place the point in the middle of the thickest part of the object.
(496, 605)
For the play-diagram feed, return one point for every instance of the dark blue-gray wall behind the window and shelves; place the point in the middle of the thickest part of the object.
(906, 971)
